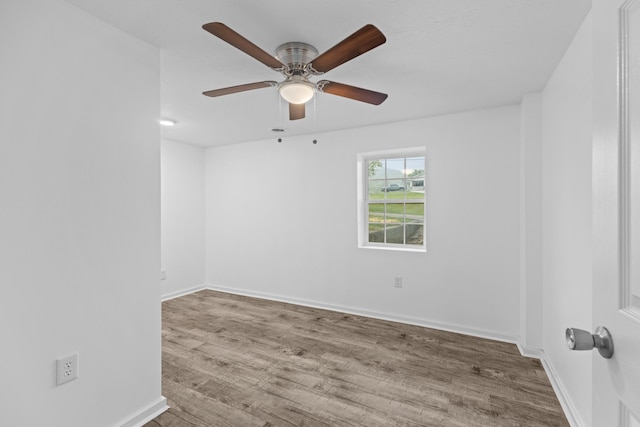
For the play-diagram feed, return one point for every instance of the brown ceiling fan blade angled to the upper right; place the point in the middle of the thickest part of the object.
(363, 40)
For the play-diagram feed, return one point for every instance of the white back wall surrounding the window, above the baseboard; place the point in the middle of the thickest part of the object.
(281, 223)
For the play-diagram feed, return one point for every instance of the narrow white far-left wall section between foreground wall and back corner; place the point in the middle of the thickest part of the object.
(183, 226)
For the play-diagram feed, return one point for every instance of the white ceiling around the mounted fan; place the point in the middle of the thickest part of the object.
(441, 56)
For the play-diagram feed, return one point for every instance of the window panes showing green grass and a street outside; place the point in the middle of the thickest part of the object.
(395, 200)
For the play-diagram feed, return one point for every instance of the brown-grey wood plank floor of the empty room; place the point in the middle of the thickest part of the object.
(229, 360)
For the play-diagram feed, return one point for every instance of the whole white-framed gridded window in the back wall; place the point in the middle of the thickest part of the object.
(392, 200)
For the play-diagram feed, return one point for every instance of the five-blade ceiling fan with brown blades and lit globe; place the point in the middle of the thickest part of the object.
(298, 61)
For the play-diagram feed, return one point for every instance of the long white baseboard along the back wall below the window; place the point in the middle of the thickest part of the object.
(375, 315)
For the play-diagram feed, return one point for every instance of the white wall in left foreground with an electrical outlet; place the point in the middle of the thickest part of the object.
(79, 189)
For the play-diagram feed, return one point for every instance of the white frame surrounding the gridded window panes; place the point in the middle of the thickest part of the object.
(363, 199)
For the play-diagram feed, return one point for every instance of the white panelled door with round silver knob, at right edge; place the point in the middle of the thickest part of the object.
(616, 204)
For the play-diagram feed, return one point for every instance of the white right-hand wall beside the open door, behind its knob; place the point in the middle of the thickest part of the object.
(567, 222)
